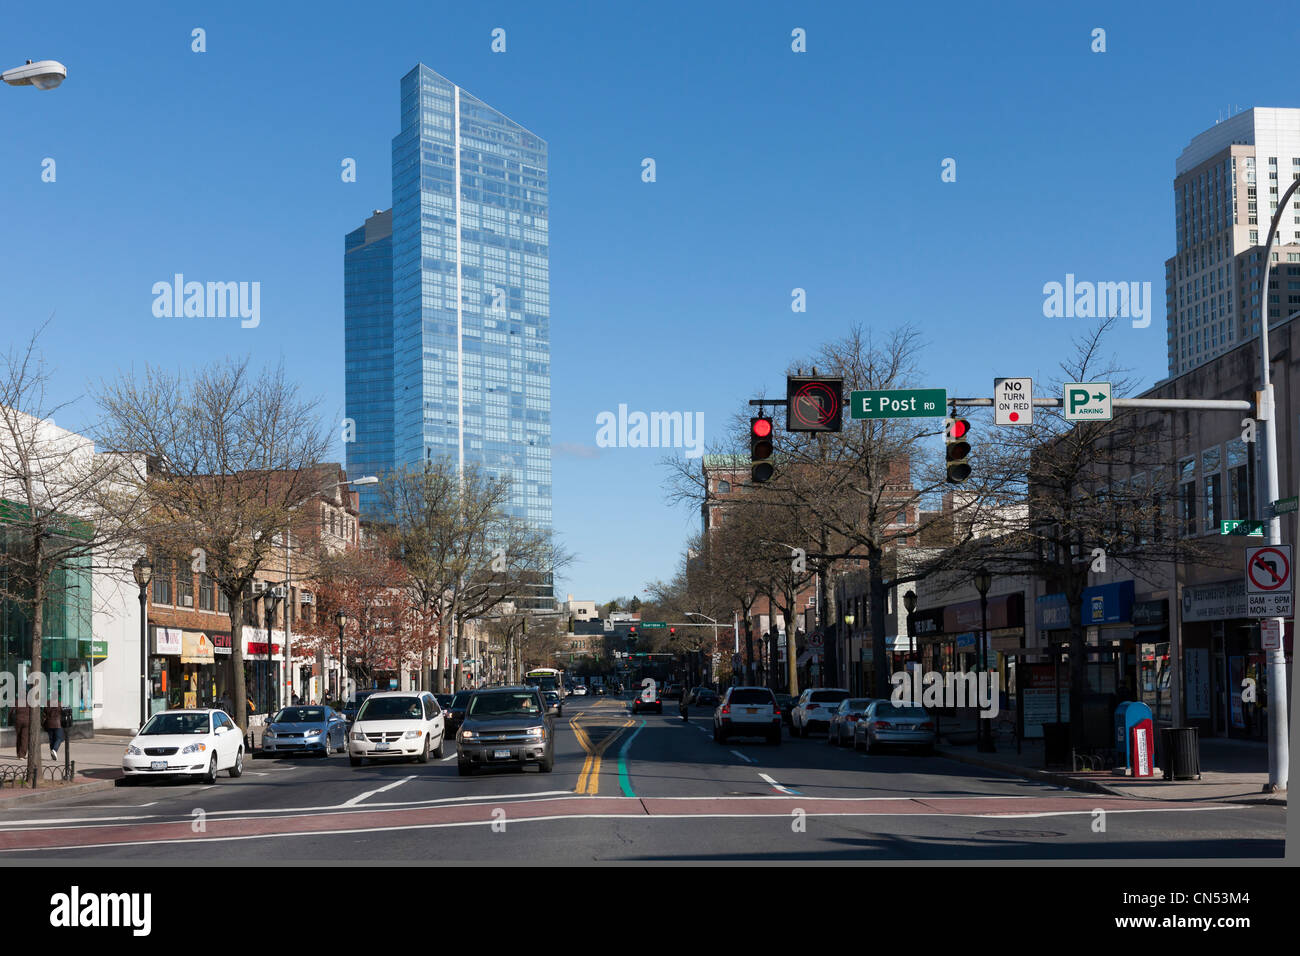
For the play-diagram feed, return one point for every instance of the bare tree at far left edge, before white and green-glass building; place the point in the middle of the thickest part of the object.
(66, 512)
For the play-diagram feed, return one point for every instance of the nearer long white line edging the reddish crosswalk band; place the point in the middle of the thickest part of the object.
(603, 816)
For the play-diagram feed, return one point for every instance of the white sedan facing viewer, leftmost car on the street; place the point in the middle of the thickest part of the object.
(185, 743)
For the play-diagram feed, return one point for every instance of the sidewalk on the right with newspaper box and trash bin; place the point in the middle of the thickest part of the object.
(1232, 771)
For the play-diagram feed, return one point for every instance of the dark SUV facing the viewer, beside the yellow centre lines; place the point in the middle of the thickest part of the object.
(506, 728)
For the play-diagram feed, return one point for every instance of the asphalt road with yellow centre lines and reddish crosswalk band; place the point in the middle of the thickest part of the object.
(632, 789)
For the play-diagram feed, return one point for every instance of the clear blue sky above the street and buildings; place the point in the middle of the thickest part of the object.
(775, 171)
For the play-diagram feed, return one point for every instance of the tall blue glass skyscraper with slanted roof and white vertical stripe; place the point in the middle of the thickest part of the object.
(463, 370)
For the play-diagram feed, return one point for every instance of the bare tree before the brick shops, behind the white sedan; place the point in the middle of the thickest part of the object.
(231, 453)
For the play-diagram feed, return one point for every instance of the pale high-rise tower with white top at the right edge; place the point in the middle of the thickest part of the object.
(1228, 184)
